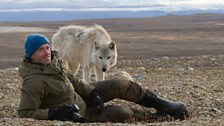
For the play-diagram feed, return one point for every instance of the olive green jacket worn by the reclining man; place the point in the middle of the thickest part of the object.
(46, 86)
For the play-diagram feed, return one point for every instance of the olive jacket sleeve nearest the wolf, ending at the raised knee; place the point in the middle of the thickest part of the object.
(83, 89)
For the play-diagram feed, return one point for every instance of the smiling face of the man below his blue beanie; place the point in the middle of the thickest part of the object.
(42, 55)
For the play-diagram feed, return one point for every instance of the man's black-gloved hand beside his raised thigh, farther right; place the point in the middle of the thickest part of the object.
(95, 101)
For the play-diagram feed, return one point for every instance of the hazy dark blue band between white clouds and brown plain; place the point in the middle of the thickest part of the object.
(76, 15)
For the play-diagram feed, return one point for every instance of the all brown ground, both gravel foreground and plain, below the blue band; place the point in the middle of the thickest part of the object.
(178, 57)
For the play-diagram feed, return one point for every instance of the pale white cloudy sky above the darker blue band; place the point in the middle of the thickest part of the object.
(102, 5)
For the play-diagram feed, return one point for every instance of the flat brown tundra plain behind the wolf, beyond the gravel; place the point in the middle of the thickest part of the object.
(136, 38)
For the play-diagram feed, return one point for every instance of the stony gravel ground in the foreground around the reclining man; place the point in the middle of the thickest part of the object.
(197, 81)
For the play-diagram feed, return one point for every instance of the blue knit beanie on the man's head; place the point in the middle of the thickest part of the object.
(33, 42)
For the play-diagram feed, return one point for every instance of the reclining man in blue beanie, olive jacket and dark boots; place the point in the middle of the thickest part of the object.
(49, 91)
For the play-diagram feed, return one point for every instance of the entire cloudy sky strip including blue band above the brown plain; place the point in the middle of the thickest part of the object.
(29, 10)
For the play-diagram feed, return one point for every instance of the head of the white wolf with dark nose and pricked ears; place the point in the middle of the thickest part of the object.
(105, 55)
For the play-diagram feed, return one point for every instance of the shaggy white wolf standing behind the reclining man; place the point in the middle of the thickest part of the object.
(90, 47)
